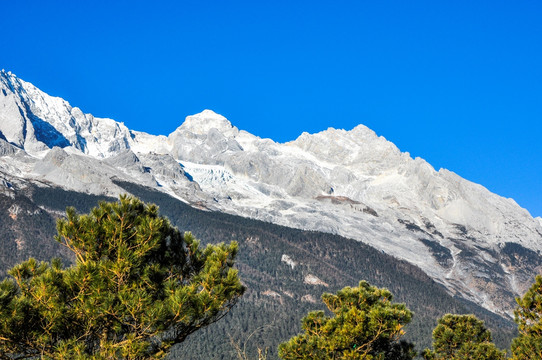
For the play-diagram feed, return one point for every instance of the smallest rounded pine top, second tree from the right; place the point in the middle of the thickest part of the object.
(460, 337)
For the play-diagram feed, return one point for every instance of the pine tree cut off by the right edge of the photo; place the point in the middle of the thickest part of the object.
(528, 316)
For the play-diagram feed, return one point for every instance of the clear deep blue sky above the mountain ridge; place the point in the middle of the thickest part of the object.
(458, 83)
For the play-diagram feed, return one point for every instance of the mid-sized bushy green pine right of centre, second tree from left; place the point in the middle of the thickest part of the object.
(366, 324)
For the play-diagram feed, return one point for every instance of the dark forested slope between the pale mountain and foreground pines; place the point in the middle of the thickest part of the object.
(285, 270)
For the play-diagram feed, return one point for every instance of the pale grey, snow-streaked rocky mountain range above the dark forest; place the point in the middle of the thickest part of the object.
(481, 246)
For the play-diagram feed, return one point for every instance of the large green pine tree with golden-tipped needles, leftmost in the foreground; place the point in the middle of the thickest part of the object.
(138, 287)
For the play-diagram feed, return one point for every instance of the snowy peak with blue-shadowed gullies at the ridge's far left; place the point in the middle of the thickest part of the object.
(36, 122)
